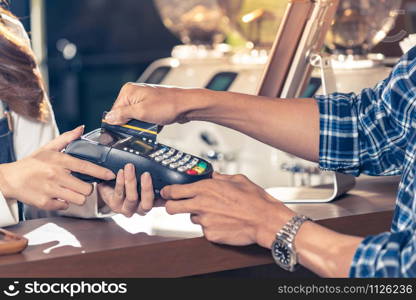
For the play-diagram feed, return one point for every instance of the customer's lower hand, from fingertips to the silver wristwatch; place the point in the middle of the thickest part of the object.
(231, 209)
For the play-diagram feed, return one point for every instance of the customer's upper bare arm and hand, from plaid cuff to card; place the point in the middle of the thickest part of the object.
(252, 115)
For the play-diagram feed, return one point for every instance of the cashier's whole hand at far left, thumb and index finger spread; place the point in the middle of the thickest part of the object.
(44, 178)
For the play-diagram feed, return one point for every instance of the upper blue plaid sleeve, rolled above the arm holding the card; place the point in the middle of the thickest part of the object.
(369, 132)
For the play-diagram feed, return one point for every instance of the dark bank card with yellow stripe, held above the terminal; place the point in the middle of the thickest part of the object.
(134, 128)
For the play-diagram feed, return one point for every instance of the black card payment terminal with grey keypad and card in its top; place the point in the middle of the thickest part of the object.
(113, 146)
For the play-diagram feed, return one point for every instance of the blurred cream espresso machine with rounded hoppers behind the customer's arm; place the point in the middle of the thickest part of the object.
(226, 46)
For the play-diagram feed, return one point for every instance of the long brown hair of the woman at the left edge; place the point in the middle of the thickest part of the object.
(21, 85)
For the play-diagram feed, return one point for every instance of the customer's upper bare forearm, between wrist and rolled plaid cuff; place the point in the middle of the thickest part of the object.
(291, 125)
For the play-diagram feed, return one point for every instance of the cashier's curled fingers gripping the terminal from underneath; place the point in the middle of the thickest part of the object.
(123, 197)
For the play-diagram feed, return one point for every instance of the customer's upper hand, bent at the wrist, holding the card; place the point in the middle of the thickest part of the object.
(150, 103)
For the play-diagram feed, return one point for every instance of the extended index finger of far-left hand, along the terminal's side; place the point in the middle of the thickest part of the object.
(87, 168)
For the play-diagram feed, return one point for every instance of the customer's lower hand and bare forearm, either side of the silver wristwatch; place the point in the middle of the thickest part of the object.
(232, 210)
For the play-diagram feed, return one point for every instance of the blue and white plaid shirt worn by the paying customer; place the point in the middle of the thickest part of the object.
(370, 133)
